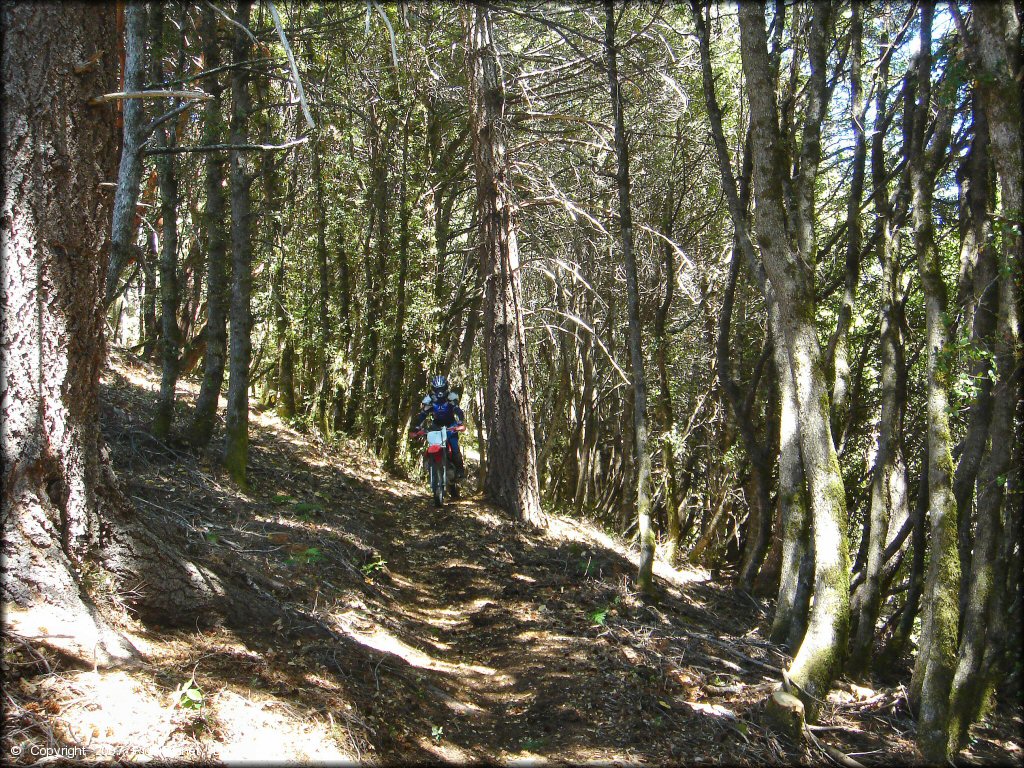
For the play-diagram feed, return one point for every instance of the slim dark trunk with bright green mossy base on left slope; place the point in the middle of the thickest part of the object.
(237, 418)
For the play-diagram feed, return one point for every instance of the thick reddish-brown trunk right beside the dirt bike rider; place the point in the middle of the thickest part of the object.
(511, 476)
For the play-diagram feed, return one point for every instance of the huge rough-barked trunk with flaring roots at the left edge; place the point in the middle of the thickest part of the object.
(63, 511)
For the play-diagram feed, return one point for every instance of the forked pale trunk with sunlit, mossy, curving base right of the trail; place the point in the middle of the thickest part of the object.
(819, 659)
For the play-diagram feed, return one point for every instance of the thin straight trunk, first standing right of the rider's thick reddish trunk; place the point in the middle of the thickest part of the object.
(642, 456)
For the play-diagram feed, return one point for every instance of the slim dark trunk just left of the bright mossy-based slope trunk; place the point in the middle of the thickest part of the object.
(217, 243)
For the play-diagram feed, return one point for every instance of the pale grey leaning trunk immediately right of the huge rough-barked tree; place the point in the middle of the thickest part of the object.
(125, 226)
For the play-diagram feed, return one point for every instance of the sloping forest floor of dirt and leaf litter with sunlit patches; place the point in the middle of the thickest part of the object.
(453, 635)
